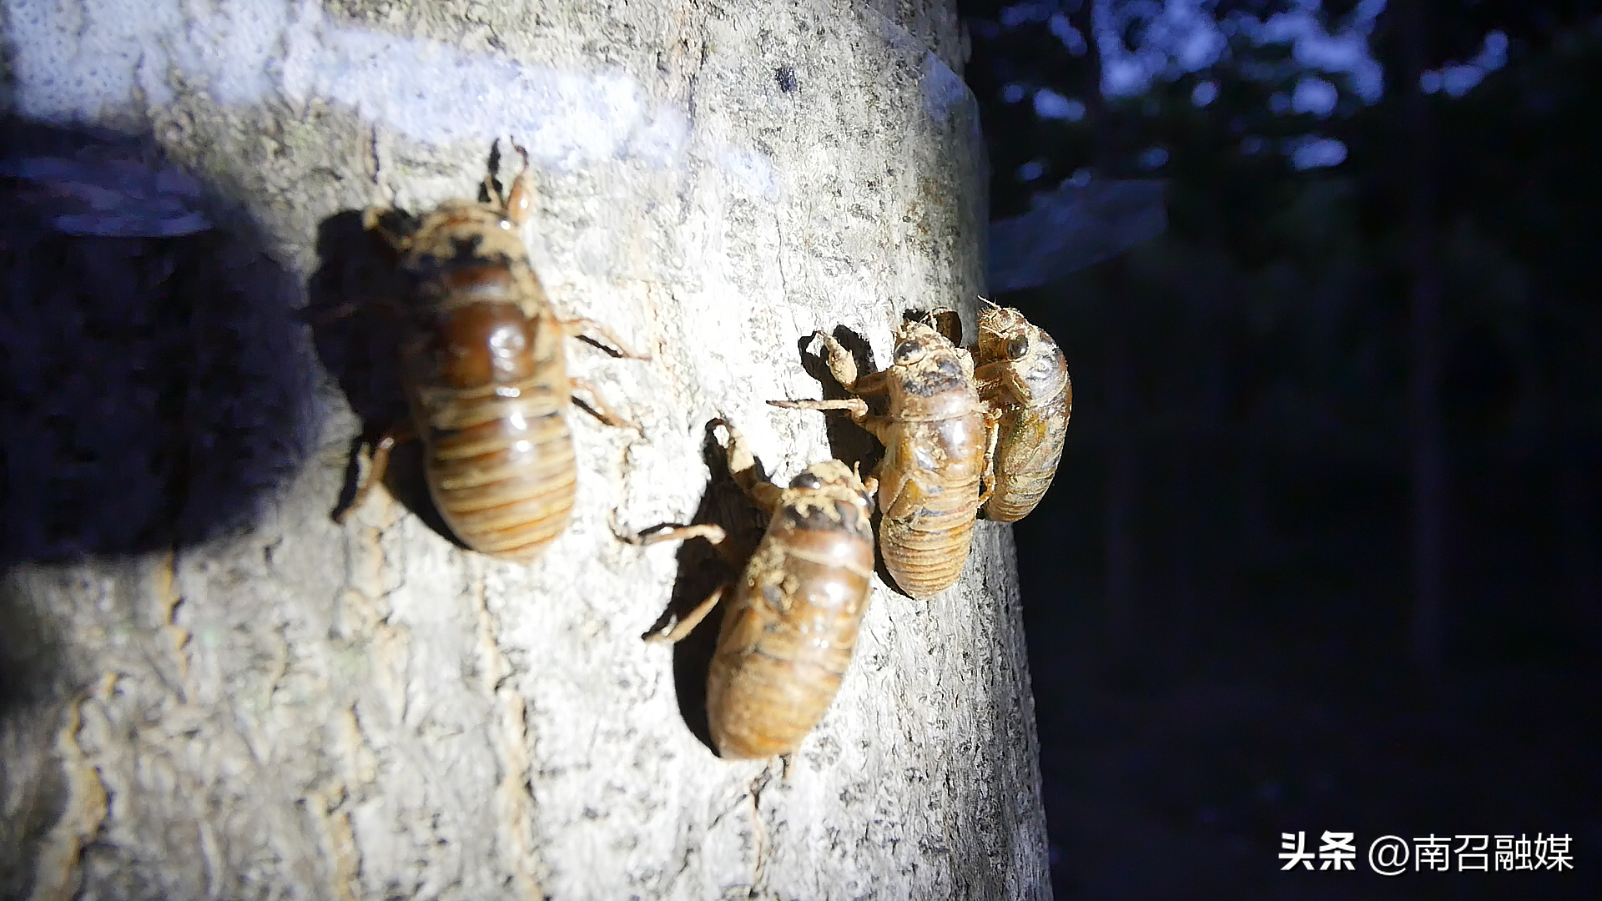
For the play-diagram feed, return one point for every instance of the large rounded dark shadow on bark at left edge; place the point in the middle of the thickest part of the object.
(156, 387)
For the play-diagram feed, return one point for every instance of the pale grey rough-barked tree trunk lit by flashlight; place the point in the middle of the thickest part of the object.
(297, 709)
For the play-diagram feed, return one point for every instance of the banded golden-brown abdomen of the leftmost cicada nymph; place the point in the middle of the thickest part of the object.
(501, 466)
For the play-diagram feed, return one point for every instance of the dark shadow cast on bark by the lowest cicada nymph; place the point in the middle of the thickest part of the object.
(701, 572)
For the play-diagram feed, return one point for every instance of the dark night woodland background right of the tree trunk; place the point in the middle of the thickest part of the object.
(1322, 552)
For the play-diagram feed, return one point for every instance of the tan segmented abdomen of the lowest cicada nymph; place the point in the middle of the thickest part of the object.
(786, 644)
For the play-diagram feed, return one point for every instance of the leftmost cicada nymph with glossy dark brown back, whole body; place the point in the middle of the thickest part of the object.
(486, 374)
